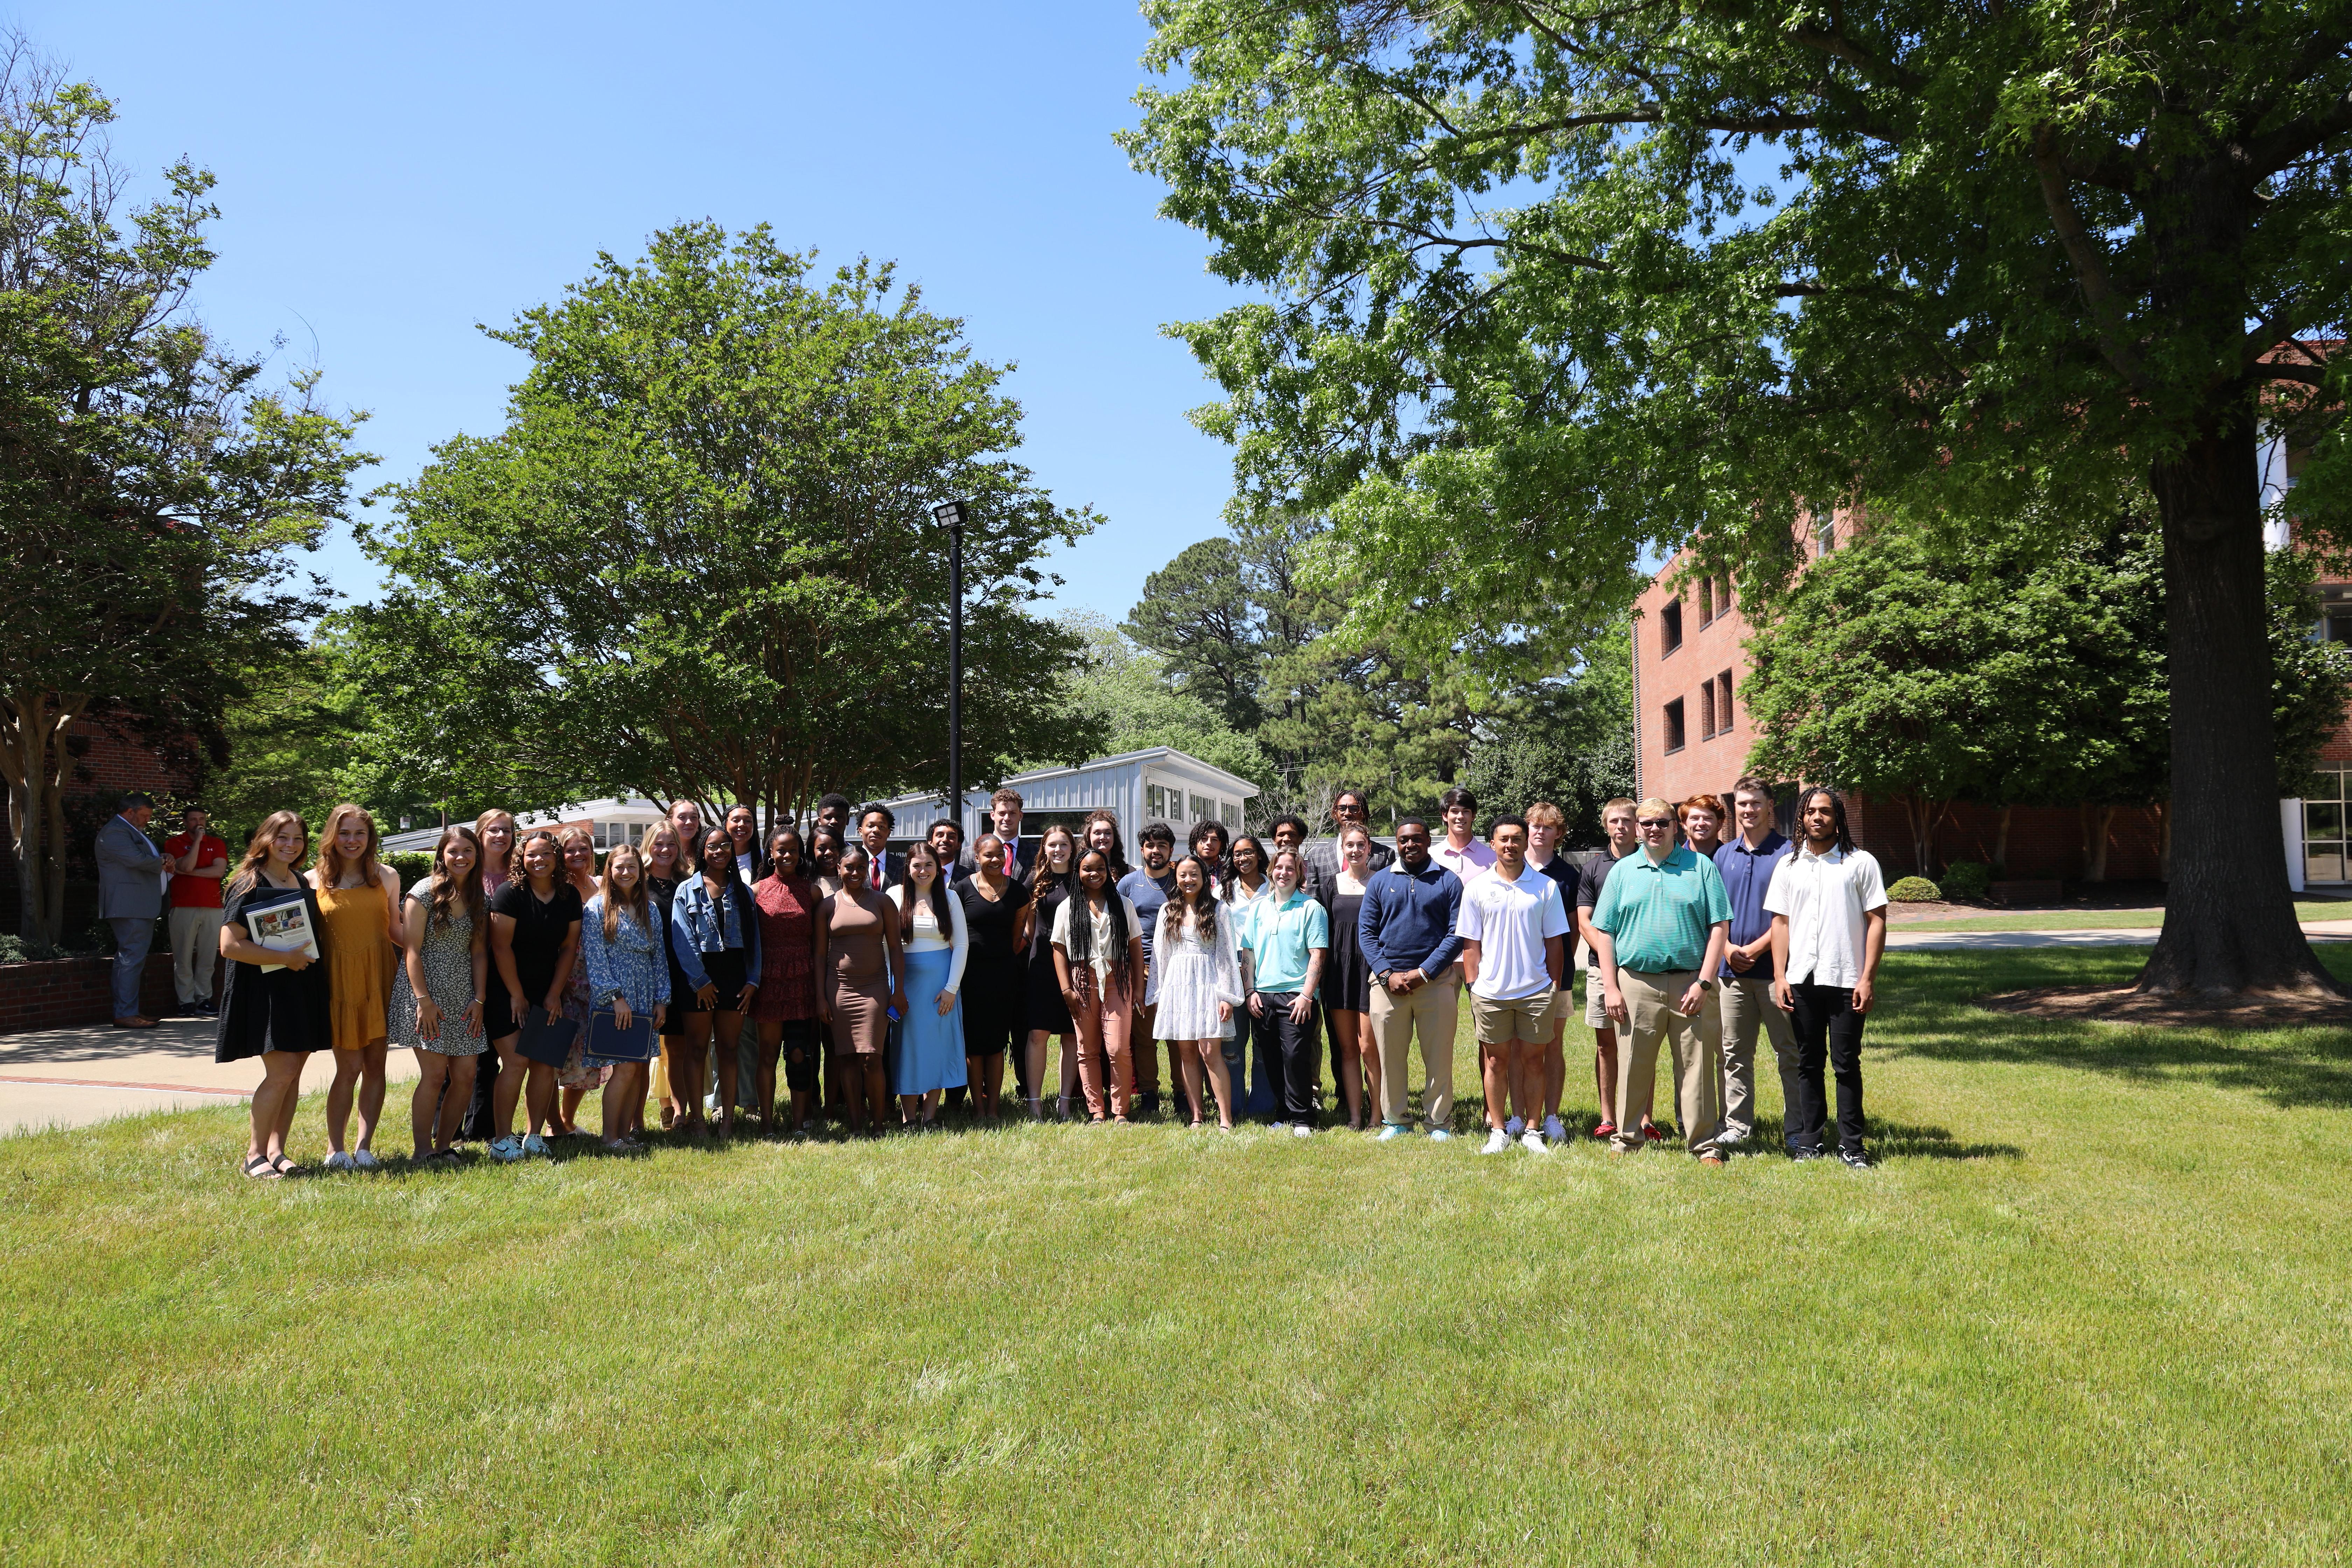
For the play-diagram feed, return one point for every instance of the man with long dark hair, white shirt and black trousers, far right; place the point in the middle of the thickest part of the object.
(1829, 932)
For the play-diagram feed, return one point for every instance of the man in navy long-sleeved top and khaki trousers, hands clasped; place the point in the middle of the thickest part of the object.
(1410, 946)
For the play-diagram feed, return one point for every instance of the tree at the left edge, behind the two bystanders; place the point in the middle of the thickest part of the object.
(154, 490)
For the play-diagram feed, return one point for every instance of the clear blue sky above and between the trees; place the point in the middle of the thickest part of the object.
(396, 175)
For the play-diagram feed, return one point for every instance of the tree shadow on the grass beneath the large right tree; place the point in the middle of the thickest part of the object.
(1930, 1010)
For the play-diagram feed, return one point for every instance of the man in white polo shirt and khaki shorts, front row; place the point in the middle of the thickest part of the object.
(1514, 958)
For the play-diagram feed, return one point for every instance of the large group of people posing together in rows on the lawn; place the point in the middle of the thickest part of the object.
(888, 984)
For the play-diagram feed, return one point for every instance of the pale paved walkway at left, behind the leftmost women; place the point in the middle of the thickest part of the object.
(74, 1078)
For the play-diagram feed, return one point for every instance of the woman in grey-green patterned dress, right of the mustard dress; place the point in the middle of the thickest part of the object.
(439, 991)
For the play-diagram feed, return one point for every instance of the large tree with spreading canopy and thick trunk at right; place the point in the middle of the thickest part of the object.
(1565, 281)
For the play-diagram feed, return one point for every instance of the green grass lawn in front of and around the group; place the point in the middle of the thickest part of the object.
(2094, 1308)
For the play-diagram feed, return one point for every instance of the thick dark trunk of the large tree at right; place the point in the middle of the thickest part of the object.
(2229, 913)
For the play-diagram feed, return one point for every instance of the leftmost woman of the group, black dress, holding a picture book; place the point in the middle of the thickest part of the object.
(279, 1014)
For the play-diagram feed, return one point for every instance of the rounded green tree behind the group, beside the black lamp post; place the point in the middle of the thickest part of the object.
(702, 561)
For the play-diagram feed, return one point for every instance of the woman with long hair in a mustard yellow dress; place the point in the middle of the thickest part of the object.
(361, 902)
